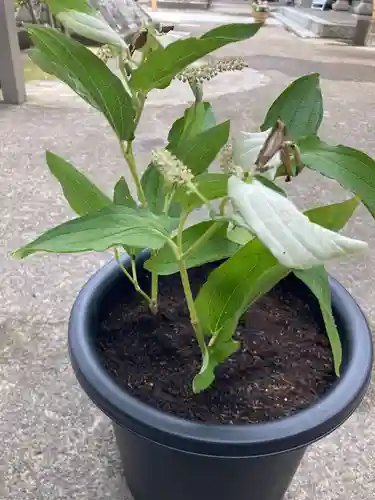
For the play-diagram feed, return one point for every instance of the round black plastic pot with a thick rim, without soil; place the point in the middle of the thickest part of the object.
(169, 458)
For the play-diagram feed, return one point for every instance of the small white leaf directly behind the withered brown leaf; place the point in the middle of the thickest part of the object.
(246, 148)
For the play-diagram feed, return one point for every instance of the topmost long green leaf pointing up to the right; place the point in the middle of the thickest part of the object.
(164, 63)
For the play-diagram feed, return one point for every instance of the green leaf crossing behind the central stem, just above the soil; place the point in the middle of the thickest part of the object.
(216, 248)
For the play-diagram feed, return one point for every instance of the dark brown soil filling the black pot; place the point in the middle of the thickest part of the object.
(285, 363)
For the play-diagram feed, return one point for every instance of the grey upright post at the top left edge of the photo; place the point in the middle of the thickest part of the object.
(11, 69)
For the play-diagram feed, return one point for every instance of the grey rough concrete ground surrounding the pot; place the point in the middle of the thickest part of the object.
(54, 444)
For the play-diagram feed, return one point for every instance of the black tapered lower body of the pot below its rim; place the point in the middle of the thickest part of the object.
(147, 467)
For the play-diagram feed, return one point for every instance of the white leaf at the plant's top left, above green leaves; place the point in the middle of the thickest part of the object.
(93, 27)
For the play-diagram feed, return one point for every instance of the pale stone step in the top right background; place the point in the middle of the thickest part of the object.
(331, 24)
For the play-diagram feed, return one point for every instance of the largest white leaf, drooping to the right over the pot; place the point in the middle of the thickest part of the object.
(294, 241)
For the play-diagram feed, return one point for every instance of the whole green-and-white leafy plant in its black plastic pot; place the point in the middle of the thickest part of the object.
(224, 349)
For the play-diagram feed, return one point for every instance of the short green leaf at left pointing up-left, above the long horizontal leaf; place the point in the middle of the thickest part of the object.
(82, 195)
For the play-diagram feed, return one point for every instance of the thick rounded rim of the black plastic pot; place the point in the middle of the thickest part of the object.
(298, 430)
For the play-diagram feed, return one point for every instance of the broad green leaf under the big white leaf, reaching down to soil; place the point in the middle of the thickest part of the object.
(228, 292)
